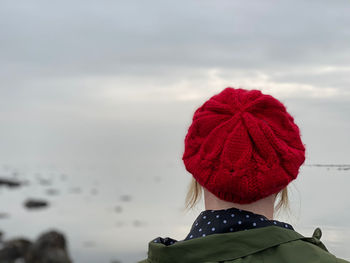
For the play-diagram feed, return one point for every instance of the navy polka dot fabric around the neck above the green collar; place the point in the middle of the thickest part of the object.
(211, 222)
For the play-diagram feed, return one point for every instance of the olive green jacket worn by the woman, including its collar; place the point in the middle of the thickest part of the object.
(267, 245)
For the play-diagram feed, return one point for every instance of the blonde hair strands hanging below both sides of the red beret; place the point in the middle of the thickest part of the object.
(194, 195)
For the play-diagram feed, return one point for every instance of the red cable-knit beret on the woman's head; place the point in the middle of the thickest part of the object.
(243, 146)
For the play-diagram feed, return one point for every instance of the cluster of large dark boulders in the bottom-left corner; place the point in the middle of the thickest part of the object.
(50, 247)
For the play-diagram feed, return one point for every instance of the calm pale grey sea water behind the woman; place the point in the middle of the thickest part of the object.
(108, 214)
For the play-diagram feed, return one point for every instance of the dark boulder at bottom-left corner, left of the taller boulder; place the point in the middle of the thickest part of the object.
(14, 249)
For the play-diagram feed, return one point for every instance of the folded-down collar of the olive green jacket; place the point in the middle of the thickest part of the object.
(221, 247)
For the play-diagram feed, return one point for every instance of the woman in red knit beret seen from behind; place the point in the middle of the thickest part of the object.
(243, 149)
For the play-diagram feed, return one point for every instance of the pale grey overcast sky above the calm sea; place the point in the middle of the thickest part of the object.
(100, 80)
